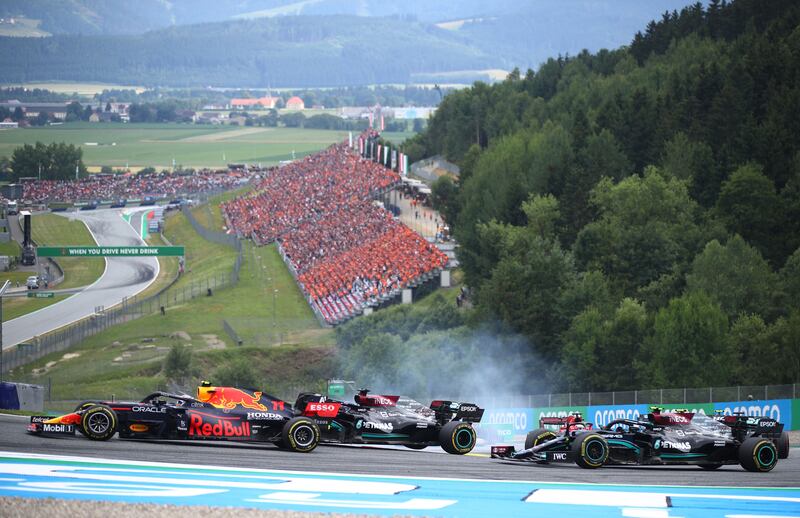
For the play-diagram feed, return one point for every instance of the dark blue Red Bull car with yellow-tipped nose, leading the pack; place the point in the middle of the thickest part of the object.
(217, 413)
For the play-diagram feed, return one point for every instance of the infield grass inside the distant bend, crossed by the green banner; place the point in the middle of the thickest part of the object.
(54, 230)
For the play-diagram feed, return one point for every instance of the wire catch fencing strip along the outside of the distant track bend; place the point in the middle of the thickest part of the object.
(174, 294)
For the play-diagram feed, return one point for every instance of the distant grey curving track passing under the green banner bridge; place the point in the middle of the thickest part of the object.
(123, 277)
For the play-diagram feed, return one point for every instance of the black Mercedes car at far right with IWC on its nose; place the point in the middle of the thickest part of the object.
(657, 438)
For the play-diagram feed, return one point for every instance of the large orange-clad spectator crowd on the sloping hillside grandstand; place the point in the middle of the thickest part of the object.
(347, 252)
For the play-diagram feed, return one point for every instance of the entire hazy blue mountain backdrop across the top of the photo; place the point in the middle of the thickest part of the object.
(303, 43)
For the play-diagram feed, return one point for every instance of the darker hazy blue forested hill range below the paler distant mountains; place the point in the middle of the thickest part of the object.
(285, 51)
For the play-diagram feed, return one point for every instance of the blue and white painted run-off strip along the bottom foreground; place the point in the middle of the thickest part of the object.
(71, 478)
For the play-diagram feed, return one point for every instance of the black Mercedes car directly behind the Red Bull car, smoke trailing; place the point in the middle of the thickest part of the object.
(374, 419)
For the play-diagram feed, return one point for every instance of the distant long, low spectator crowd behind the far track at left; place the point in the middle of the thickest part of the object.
(127, 186)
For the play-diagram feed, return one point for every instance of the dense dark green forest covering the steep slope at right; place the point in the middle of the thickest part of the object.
(635, 214)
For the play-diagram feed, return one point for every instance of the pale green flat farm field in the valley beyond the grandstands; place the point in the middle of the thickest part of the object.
(142, 145)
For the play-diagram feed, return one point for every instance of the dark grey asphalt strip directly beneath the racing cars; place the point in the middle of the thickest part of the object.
(386, 461)
